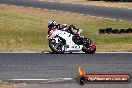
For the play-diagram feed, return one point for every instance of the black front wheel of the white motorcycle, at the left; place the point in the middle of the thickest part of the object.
(56, 47)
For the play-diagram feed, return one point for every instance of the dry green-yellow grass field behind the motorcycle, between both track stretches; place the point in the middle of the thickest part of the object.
(25, 29)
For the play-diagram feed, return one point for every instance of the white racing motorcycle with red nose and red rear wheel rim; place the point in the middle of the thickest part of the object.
(62, 41)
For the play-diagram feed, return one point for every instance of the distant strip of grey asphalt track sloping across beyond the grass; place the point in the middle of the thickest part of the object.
(113, 13)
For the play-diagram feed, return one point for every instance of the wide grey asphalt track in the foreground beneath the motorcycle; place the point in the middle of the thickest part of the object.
(42, 66)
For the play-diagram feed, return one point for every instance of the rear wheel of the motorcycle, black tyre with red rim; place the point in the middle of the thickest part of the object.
(89, 49)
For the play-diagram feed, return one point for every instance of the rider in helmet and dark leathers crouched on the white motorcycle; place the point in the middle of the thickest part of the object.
(69, 28)
